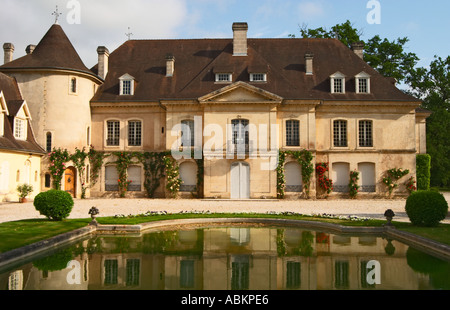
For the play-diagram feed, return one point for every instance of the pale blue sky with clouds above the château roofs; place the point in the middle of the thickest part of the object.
(105, 22)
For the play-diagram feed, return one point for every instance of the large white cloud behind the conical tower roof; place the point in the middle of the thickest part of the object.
(103, 22)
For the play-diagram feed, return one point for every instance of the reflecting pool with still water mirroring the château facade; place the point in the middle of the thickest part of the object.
(232, 258)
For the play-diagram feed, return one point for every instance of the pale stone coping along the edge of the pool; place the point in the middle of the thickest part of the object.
(22, 253)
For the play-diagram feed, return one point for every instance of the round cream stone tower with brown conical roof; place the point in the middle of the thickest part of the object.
(58, 88)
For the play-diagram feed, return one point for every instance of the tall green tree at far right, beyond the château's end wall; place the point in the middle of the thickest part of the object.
(432, 85)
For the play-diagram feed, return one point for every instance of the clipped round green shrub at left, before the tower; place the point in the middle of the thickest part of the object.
(54, 204)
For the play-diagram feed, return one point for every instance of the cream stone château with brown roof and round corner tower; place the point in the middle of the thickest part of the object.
(223, 109)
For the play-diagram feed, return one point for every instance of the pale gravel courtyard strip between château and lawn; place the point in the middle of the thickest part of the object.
(111, 207)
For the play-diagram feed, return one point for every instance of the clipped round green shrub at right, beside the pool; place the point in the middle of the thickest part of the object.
(426, 208)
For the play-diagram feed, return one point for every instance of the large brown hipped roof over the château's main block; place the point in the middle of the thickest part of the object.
(198, 60)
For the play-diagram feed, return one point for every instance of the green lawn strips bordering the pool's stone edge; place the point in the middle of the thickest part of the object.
(22, 233)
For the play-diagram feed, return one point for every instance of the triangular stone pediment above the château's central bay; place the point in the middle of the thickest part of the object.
(240, 92)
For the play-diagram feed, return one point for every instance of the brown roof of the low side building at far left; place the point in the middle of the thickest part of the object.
(14, 102)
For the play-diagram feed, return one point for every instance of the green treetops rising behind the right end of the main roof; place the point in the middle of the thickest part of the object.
(389, 58)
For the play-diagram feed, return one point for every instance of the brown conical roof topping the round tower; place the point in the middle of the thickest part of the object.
(54, 51)
